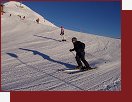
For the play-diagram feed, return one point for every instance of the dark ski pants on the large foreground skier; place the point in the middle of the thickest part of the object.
(81, 57)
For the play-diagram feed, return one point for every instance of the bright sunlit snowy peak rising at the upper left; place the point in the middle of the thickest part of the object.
(16, 8)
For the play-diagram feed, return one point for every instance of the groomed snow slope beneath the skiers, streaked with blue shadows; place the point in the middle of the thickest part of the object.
(32, 55)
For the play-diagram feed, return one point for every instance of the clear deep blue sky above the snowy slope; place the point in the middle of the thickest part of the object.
(100, 18)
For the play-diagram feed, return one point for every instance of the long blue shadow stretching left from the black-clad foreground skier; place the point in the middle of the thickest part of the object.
(44, 56)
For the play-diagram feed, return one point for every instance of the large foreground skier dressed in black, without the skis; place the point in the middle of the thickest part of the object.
(80, 54)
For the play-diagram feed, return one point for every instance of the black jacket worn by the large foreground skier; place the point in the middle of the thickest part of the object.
(78, 47)
